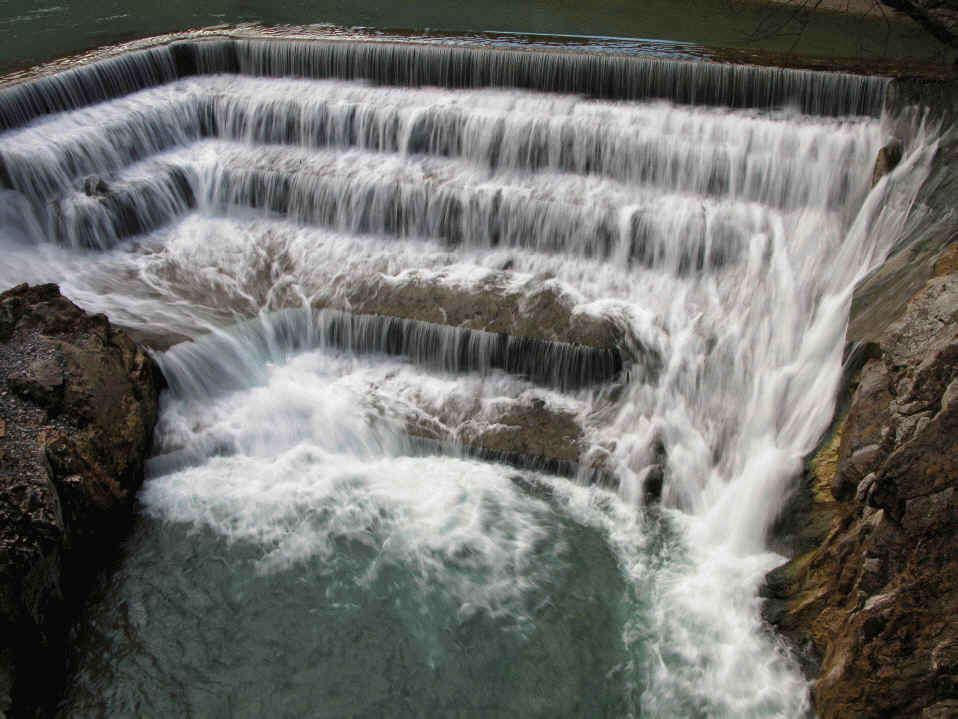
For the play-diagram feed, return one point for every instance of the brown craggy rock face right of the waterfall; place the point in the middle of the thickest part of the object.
(879, 596)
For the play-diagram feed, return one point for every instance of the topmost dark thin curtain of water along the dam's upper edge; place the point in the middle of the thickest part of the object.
(598, 76)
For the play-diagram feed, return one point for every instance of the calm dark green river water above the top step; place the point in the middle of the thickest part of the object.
(38, 30)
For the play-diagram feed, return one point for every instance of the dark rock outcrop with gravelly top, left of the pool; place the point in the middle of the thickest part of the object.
(78, 401)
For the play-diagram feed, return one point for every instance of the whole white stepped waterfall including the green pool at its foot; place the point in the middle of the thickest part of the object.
(300, 553)
